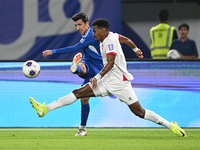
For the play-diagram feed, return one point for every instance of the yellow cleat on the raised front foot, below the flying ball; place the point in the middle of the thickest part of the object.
(40, 108)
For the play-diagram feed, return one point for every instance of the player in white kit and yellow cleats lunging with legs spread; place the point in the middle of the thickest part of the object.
(113, 79)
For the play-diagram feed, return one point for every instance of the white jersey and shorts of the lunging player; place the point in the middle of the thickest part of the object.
(117, 80)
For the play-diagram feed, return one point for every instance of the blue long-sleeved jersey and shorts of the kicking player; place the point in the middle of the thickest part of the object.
(91, 54)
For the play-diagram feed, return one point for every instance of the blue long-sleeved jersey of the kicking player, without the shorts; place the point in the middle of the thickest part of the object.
(87, 43)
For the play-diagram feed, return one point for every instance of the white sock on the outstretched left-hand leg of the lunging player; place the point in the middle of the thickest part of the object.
(66, 100)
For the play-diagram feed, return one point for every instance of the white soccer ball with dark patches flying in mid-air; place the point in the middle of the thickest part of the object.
(31, 69)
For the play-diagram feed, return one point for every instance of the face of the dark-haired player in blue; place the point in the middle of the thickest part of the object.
(81, 26)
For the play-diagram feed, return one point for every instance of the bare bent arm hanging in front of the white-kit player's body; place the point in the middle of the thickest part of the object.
(108, 67)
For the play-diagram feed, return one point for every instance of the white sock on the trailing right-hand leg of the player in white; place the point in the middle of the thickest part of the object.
(150, 115)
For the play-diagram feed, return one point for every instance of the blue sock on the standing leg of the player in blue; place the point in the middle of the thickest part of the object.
(85, 109)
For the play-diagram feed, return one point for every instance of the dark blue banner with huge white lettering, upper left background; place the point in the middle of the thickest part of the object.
(28, 27)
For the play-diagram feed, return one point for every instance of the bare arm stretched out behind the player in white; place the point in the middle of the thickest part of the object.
(131, 44)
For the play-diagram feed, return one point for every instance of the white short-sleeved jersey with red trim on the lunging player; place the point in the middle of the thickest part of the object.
(111, 45)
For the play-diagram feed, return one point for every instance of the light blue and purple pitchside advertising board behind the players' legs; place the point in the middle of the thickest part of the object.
(169, 88)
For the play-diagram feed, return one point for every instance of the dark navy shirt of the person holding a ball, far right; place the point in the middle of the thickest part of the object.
(186, 48)
